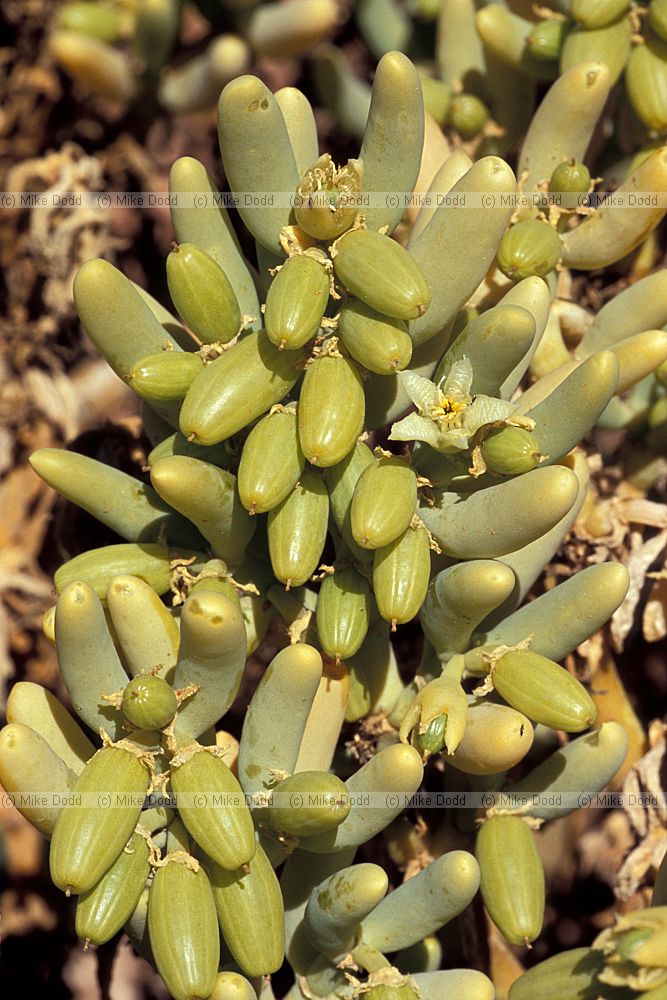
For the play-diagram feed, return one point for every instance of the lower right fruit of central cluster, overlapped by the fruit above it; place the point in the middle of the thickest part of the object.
(401, 573)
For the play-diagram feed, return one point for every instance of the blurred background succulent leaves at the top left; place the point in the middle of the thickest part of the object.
(122, 50)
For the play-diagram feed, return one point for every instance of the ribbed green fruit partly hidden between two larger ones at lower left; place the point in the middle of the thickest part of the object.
(102, 911)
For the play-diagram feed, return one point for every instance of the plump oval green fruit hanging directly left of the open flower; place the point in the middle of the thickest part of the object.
(331, 410)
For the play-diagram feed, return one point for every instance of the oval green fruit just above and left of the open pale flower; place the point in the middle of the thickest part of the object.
(379, 343)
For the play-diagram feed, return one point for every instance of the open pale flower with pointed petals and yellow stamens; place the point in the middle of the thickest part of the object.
(448, 417)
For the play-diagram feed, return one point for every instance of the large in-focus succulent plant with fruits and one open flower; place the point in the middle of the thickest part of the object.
(259, 469)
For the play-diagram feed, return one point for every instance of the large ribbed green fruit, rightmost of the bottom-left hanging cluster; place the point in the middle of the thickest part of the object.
(251, 915)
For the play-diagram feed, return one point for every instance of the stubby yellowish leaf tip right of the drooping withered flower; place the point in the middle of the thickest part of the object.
(496, 738)
